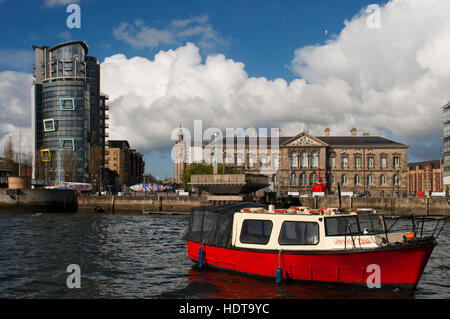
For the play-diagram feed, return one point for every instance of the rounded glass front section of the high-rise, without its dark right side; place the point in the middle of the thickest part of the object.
(63, 114)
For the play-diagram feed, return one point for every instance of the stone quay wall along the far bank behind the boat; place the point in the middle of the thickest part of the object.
(182, 205)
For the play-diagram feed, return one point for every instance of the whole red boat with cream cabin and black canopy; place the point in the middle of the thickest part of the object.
(302, 244)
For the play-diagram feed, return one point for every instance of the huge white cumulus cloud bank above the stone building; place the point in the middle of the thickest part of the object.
(389, 81)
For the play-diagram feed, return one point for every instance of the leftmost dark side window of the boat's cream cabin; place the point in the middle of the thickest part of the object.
(256, 231)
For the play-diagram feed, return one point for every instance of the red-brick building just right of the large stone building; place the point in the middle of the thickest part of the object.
(425, 177)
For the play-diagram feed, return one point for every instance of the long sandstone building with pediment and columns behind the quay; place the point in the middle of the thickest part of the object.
(360, 164)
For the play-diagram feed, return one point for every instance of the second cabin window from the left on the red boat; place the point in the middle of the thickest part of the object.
(299, 233)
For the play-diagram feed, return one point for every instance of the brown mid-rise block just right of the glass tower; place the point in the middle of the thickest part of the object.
(125, 161)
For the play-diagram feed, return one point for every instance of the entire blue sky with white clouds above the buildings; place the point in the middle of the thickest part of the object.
(310, 54)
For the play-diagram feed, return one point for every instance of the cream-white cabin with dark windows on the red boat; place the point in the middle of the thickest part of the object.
(301, 228)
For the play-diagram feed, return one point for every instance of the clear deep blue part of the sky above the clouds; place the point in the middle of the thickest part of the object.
(261, 34)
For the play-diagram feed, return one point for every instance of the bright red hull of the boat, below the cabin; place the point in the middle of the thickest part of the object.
(390, 266)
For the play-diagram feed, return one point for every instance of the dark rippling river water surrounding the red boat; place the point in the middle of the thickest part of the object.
(144, 256)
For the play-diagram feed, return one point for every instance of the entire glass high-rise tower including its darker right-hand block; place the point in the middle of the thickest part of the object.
(68, 114)
